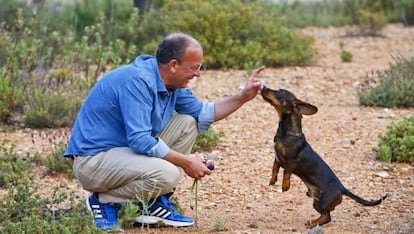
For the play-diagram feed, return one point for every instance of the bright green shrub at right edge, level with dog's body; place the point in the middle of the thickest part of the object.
(397, 144)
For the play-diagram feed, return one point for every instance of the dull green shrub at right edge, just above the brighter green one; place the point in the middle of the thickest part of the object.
(395, 89)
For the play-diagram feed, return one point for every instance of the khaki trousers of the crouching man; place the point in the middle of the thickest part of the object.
(120, 175)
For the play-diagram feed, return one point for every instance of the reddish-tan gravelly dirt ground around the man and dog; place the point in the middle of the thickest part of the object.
(237, 196)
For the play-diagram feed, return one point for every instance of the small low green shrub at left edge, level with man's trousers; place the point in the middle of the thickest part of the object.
(14, 168)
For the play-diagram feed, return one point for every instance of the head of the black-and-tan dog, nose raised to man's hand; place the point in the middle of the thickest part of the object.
(286, 103)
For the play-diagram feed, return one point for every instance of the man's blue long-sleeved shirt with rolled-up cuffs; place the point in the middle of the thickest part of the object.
(129, 107)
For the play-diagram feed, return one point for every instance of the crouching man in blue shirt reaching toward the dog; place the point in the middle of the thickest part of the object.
(134, 133)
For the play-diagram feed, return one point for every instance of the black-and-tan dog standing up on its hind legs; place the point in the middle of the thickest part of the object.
(295, 155)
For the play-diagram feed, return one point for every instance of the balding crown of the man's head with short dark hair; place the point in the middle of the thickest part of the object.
(174, 46)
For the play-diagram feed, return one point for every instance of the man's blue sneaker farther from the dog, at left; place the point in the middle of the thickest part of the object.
(104, 215)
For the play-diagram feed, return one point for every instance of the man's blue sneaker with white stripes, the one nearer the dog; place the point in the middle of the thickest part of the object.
(163, 211)
